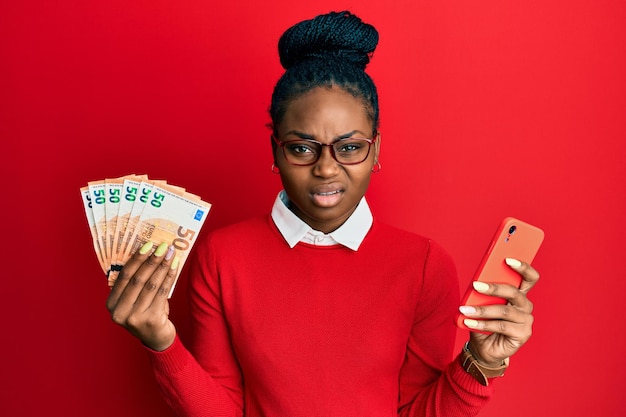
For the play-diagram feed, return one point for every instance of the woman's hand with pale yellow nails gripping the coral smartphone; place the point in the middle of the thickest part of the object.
(509, 325)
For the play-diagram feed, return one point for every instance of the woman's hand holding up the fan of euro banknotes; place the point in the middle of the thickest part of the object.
(139, 298)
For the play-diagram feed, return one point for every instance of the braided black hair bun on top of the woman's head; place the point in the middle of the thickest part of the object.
(339, 35)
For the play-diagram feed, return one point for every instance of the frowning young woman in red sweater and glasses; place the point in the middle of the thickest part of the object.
(318, 309)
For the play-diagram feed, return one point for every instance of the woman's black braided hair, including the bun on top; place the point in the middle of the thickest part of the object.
(329, 50)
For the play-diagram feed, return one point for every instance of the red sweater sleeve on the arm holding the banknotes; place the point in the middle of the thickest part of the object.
(204, 379)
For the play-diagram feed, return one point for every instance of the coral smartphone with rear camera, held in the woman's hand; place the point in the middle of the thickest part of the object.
(513, 239)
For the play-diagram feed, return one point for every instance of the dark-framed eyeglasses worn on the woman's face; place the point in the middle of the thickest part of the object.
(348, 151)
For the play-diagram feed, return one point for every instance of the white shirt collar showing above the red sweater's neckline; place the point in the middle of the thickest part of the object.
(294, 230)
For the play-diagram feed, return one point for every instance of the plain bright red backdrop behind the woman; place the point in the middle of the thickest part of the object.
(488, 109)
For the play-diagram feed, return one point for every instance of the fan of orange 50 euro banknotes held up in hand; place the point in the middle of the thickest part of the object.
(126, 212)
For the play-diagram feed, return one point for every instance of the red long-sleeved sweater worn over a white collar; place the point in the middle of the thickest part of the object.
(319, 331)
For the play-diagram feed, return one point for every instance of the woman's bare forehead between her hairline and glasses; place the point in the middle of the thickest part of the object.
(326, 111)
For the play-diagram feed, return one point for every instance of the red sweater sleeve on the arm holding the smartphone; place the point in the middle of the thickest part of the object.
(431, 384)
